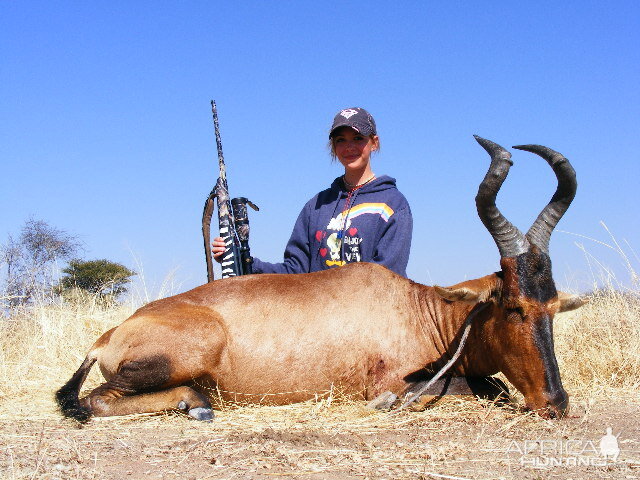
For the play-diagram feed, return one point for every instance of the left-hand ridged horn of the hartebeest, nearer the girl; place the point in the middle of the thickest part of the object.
(510, 241)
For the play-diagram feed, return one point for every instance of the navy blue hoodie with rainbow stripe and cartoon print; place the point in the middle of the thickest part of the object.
(376, 228)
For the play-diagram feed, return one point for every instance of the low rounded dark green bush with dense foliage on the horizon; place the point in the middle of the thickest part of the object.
(99, 277)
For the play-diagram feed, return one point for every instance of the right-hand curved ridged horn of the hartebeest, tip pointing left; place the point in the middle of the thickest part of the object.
(540, 232)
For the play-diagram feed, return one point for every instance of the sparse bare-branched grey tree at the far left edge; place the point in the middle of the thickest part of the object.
(30, 261)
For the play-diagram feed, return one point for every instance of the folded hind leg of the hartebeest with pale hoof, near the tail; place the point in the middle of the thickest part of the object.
(105, 401)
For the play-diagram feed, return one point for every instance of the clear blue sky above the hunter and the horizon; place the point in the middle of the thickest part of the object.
(106, 128)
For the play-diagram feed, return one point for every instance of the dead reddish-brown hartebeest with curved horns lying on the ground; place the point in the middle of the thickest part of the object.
(268, 336)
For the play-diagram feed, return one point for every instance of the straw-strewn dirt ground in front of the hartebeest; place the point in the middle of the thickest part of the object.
(455, 439)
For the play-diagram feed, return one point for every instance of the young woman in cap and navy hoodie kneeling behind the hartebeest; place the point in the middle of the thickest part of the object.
(360, 218)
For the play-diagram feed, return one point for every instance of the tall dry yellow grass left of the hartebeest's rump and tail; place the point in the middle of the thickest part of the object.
(42, 345)
